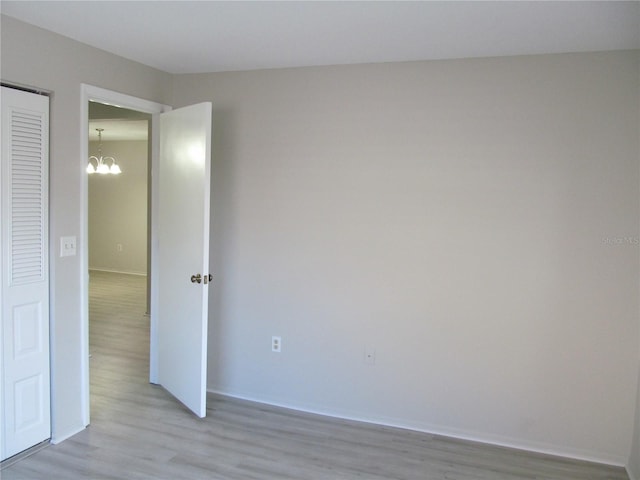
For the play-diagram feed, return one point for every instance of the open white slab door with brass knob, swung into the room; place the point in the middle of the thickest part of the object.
(183, 253)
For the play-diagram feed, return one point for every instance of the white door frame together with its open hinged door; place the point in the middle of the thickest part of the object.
(183, 154)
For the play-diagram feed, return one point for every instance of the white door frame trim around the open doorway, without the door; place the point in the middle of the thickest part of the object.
(109, 97)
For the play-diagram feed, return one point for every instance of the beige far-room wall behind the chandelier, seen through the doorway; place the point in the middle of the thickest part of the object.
(118, 210)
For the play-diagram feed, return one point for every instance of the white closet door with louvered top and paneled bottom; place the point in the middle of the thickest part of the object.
(25, 385)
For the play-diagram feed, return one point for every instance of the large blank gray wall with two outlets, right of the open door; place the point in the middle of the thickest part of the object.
(474, 221)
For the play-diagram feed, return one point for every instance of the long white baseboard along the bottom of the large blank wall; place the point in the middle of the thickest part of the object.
(546, 449)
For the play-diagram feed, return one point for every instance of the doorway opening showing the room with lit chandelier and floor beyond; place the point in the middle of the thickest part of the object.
(119, 223)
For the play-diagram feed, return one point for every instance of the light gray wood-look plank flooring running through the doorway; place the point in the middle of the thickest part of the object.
(138, 431)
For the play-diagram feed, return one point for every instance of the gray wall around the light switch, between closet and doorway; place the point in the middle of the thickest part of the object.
(36, 57)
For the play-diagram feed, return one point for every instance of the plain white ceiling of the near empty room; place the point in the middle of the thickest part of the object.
(207, 36)
